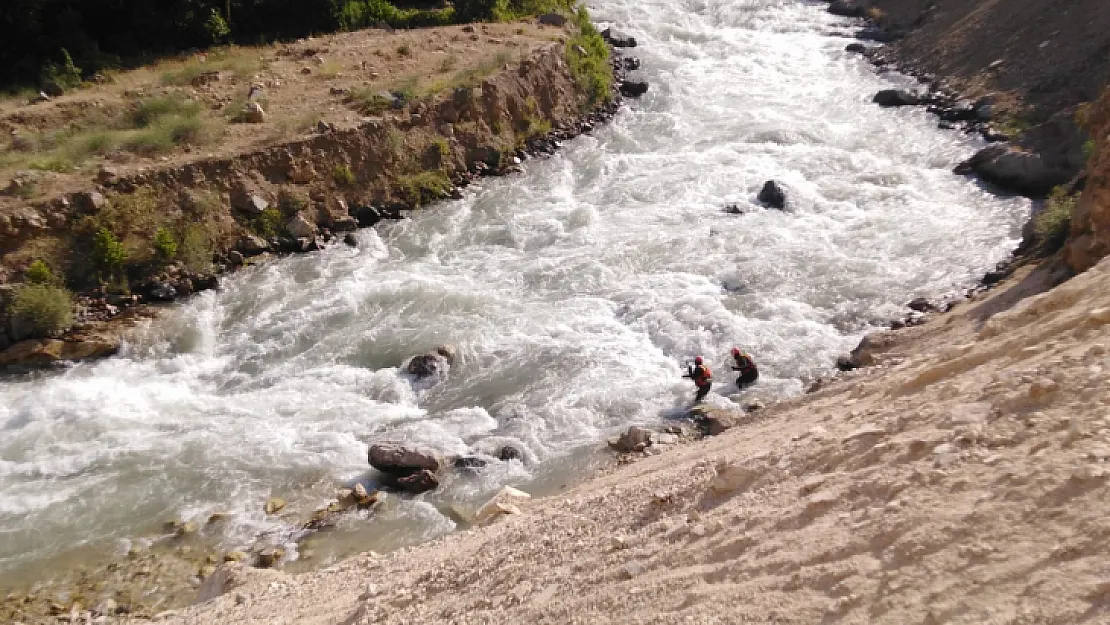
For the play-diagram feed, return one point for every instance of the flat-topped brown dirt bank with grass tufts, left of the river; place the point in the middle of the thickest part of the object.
(352, 129)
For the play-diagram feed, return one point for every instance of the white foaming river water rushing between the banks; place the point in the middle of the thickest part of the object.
(573, 291)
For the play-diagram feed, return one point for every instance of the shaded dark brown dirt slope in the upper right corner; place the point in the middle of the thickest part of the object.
(1043, 59)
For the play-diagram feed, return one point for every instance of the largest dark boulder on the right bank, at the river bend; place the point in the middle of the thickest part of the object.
(1014, 170)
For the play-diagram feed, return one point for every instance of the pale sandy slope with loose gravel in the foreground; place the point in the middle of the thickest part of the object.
(962, 481)
